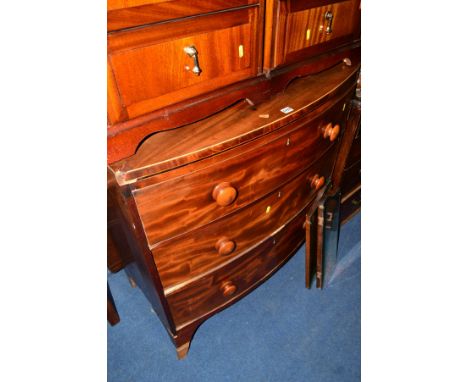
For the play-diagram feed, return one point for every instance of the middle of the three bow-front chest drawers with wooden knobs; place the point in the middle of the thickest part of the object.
(190, 255)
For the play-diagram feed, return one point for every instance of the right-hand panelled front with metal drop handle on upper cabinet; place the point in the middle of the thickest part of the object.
(305, 28)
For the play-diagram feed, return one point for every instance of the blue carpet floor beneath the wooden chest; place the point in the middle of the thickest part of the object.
(279, 332)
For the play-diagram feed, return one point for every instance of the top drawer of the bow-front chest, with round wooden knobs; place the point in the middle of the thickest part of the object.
(178, 205)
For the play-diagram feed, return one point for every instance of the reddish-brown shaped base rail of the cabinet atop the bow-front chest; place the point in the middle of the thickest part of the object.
(125, 137)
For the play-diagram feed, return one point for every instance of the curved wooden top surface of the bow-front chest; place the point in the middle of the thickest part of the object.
(169, 149)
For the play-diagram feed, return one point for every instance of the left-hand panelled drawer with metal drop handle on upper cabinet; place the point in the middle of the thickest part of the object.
(158, 65)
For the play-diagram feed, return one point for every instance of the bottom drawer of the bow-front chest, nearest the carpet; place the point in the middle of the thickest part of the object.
(222, 287)
